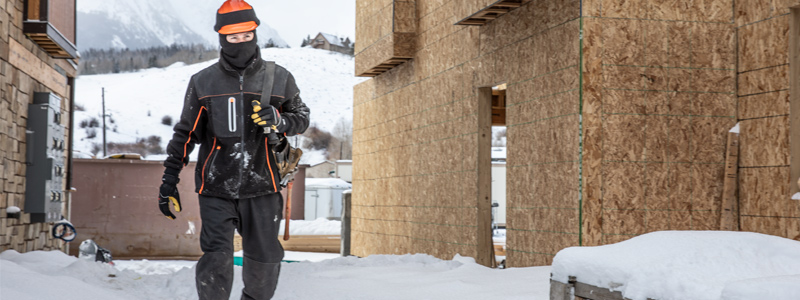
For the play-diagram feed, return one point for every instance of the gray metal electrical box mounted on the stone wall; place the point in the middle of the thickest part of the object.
(45, 159)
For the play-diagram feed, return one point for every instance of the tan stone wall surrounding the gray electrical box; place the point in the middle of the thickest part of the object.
(18, 82)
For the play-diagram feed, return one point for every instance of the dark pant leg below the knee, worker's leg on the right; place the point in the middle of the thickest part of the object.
(260, 279)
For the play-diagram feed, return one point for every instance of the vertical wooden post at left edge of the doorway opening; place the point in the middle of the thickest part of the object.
(484, 205)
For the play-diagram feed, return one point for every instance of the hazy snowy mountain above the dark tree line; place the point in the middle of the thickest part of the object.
(137, 24)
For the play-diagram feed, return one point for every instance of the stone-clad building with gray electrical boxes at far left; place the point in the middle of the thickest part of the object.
(38, 57)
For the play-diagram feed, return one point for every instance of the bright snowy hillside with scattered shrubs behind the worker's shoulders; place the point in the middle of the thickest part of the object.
(137, 102)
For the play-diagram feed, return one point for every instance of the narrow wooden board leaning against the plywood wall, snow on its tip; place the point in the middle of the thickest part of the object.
(729, 214)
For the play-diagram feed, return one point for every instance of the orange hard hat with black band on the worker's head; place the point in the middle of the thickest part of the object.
(235, 16)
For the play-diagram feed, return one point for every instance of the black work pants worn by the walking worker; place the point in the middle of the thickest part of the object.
(257, 220)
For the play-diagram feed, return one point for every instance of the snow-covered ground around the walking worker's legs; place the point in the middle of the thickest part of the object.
(54, 275)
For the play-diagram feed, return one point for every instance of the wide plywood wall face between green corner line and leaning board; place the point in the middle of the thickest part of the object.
(659, 99)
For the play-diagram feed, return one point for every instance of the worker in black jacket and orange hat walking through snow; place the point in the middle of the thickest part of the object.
(236, 178)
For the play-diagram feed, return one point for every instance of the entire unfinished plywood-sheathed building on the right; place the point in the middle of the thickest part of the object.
(618, 116)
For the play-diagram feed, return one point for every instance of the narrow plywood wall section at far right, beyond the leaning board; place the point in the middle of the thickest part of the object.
(764, 175)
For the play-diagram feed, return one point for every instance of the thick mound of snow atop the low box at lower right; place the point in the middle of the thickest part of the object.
(688, 265)
